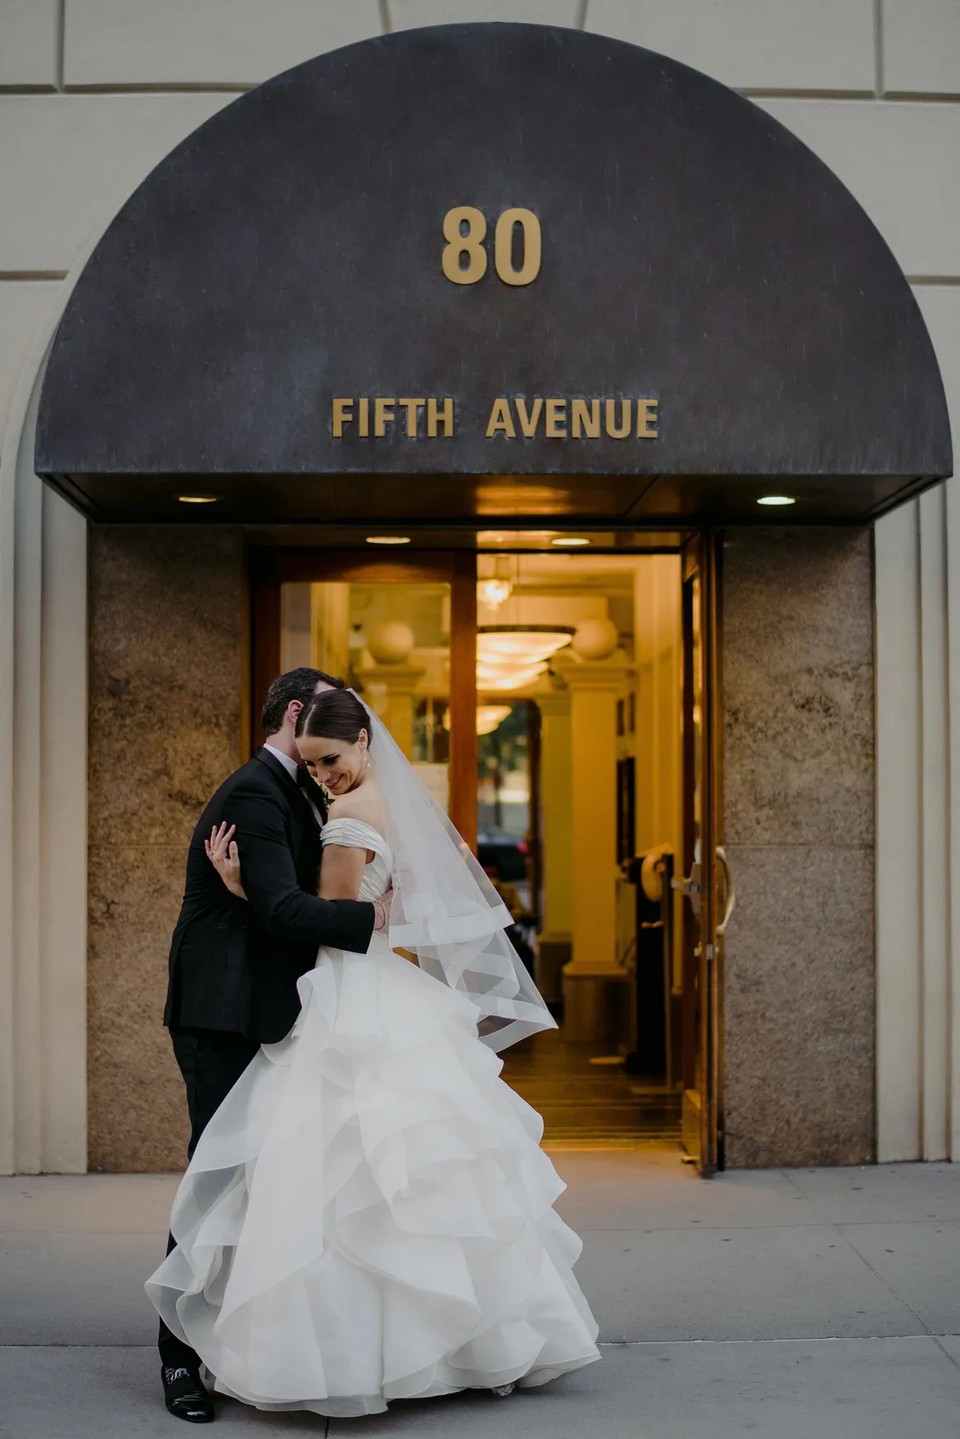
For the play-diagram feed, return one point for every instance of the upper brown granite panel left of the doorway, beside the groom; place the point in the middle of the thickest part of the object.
(165, 689)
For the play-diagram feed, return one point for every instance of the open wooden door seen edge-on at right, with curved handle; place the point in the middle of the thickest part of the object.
(705, 860)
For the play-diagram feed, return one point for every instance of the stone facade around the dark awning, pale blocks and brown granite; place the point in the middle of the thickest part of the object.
(93, 94)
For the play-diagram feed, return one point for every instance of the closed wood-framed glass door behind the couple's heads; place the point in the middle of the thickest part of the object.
(401, 632)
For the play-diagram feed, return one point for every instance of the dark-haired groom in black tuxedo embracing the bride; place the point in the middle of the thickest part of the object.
(234, 965)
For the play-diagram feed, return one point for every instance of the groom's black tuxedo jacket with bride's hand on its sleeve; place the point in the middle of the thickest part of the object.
(234, 965)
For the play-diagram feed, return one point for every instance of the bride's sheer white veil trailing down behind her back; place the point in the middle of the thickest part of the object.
(445, 909)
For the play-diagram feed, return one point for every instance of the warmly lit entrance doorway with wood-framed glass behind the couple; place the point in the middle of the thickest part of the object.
(555, 693)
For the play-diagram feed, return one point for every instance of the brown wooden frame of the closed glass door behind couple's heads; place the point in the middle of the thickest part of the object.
(268, 569)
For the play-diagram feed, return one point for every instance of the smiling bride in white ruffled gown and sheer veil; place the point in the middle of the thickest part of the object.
(369, 1215)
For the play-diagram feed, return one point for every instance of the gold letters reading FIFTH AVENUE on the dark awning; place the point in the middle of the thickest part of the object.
(512, 418)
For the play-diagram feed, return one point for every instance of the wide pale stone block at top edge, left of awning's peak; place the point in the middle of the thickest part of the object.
(217, 42)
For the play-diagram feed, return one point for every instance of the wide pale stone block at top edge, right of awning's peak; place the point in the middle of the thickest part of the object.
(752, 44)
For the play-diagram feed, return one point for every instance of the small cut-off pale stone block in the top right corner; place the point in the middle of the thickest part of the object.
(922, 47)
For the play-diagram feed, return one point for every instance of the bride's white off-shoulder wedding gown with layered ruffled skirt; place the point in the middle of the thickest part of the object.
(369, 1214)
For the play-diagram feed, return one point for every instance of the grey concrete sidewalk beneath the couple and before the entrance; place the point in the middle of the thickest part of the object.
(794, 1304)
